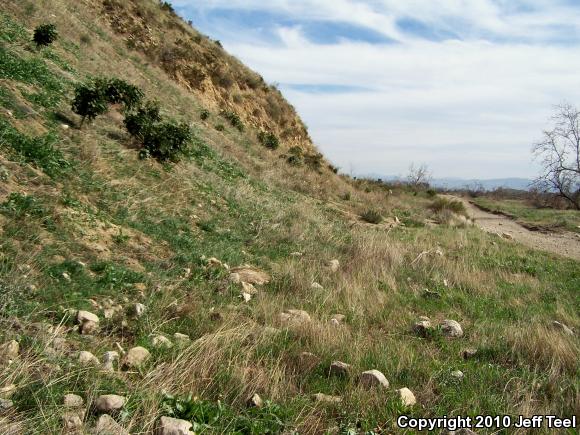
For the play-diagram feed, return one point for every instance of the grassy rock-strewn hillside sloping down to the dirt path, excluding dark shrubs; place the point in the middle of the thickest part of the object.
(246, 288)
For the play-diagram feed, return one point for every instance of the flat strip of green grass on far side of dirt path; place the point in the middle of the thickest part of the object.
(531, 216)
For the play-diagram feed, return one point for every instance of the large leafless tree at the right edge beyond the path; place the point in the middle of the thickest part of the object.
(559, 154)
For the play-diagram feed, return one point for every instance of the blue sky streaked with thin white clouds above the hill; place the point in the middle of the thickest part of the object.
(463, 86)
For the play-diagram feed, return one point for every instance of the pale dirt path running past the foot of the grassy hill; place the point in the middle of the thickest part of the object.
(566, 244)
